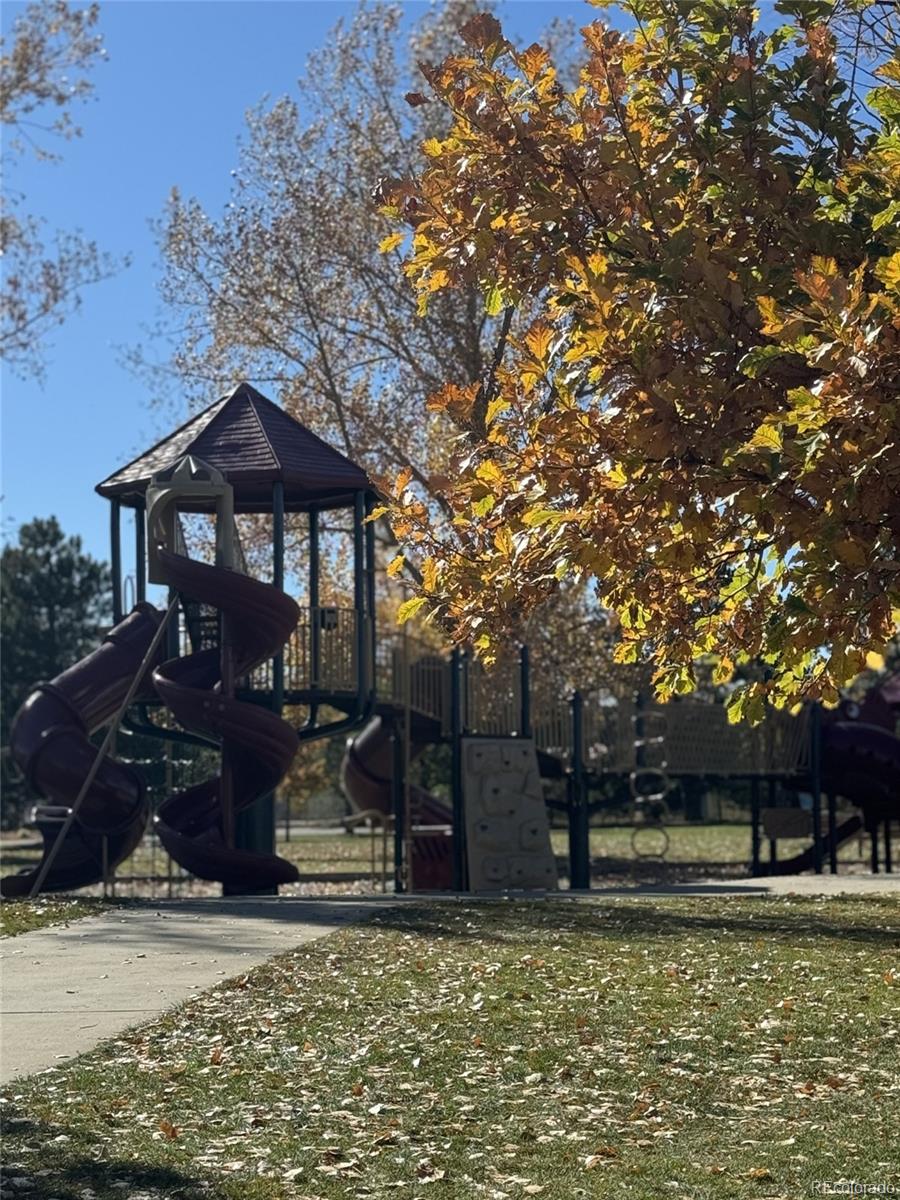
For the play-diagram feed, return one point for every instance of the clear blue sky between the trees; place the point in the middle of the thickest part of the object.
(169, 111)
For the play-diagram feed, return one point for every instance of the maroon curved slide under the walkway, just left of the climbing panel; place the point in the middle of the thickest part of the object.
(367, 777)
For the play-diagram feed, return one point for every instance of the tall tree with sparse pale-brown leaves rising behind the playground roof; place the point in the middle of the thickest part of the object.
(289, 286)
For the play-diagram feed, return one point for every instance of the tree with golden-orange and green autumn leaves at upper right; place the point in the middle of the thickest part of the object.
(697, 251)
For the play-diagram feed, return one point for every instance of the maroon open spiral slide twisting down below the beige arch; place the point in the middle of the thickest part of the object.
(259, 746)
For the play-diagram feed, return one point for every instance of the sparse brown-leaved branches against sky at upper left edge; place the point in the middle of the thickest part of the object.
(44, 74)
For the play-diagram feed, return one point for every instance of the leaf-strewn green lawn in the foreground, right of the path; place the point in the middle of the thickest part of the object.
(706, 1048)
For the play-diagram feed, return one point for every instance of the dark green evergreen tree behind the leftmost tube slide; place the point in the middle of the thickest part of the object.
(55, 604)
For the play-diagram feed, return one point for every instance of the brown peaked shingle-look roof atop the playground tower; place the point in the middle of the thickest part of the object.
(255, 445)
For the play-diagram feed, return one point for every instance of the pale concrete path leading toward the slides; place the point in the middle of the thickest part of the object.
(68, 988)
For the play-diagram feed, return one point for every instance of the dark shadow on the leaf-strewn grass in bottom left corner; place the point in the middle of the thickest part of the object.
(70, 1171)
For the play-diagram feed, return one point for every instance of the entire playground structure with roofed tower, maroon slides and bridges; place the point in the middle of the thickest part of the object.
(231, 655)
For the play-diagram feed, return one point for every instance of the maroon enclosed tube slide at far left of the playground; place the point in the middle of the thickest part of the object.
(50, 742)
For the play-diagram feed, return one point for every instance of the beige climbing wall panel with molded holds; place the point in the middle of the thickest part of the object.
(507, 830)
